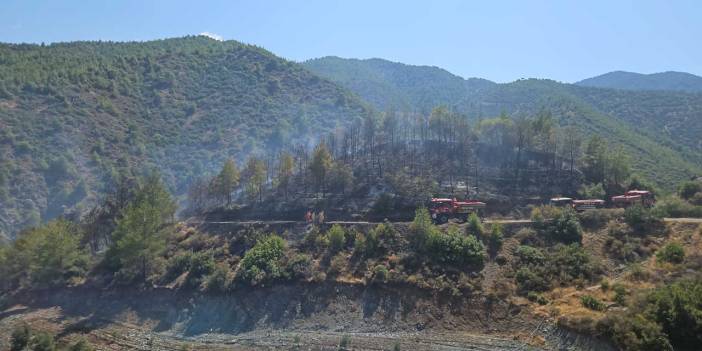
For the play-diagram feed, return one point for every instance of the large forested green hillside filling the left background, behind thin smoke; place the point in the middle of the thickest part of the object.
(74, 115)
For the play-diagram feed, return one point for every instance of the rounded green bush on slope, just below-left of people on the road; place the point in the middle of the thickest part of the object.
(262, 262)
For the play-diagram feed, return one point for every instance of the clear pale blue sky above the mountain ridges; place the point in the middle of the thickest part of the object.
(498, 40)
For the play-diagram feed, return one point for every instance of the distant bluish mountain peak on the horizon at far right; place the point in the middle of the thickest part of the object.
(674, 81)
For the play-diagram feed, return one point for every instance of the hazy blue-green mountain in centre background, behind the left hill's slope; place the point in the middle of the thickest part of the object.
(391, 85)
